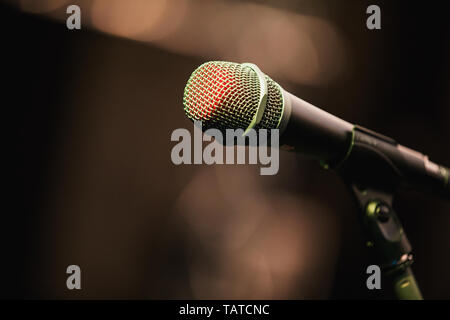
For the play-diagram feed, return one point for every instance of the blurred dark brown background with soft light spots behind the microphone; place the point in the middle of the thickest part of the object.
(91, 114)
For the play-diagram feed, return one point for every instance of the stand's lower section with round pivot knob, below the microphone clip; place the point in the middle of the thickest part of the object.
(388, 238)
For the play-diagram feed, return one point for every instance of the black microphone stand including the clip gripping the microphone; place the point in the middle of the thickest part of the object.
(372, 179)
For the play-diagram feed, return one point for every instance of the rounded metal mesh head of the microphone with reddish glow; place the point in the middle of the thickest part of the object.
(225, 95)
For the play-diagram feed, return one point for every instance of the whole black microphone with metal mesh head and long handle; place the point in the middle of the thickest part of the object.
(226, 95)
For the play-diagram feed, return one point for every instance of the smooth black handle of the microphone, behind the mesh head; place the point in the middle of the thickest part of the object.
(360, 155)
